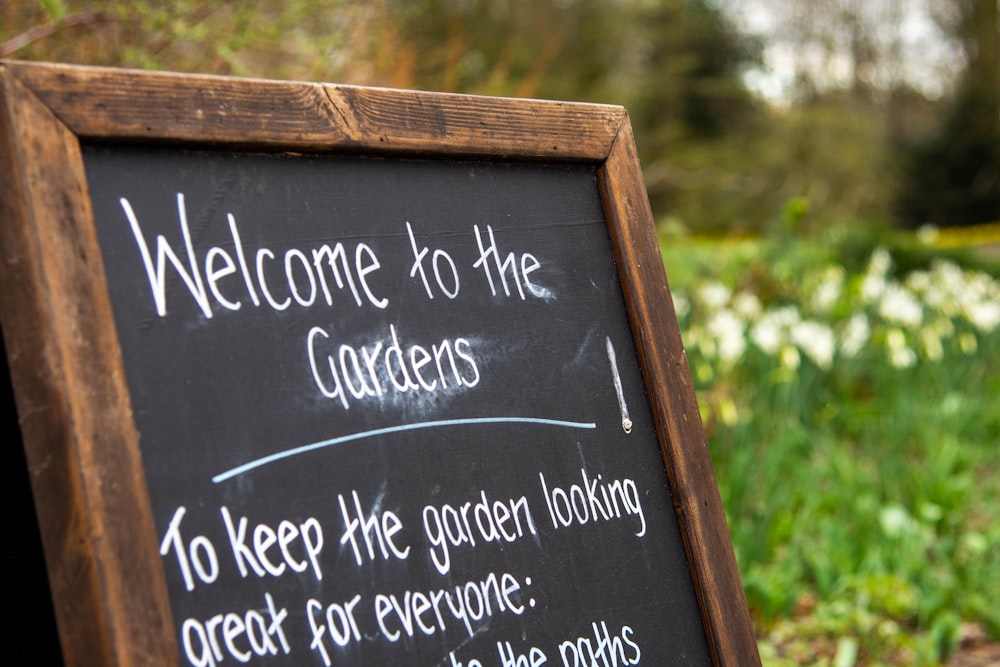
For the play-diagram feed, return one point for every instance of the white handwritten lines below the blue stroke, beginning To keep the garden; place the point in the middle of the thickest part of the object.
(262, 551)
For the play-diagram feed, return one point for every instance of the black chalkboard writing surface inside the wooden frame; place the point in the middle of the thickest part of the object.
(460, 409)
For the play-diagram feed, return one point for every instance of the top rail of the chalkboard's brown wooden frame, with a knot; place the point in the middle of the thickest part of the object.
(134, 105)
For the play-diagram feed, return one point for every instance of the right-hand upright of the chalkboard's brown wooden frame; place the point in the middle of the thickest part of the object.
(675, 408)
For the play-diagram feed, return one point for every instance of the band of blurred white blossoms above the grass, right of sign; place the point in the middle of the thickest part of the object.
(915, 318)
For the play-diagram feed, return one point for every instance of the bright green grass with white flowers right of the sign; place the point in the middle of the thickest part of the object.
(851, 397)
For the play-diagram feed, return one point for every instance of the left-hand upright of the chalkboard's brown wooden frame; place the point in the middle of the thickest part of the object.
(79, 437)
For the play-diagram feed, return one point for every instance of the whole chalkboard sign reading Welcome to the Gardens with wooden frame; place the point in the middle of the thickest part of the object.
(348, 376)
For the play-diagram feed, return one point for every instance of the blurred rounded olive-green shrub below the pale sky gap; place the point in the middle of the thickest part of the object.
(827, 153)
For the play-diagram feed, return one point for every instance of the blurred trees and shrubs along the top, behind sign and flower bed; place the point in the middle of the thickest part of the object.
(714, 157)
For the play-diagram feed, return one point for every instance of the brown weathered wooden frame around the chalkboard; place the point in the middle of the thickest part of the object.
(100, 542)
